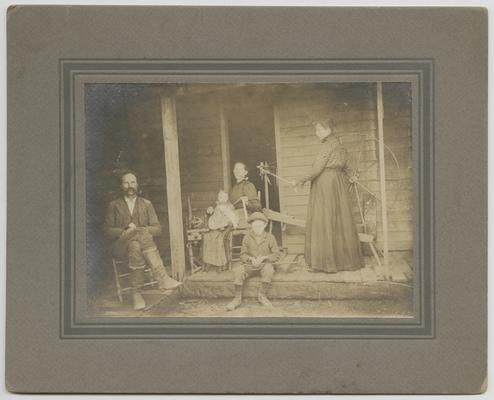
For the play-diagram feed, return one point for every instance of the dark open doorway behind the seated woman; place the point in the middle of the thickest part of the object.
(252, 141)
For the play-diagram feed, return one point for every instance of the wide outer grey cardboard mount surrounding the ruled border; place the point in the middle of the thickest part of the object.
(42, 355)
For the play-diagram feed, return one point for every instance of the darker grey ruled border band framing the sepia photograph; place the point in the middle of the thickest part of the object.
(250, 328)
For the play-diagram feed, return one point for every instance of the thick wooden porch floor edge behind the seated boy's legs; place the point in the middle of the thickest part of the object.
(300, 284)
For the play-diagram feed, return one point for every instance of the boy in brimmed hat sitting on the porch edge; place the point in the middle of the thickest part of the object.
(259, 252)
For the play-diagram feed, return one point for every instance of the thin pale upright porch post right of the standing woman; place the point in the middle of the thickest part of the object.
(382, 176)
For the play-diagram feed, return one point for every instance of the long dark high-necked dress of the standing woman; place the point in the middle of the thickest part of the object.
(331, 238)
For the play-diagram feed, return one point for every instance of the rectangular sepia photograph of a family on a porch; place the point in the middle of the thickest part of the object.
(249, 200)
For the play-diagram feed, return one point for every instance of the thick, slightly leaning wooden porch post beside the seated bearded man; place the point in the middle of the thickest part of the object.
(173, 188)
